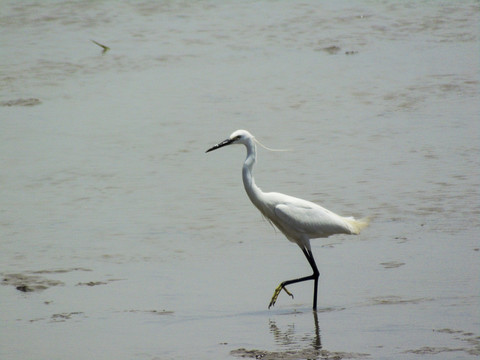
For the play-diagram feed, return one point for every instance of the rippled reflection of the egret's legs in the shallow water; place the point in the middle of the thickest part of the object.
(289, 338)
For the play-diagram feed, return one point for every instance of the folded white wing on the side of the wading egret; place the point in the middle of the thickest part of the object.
(311, 220)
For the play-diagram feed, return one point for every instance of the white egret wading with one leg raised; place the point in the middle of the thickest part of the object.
(299, 220)
